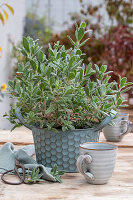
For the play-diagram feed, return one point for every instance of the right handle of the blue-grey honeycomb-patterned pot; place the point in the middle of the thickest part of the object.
(106, 121)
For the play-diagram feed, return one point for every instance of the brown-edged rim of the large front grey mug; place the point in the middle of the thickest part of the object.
(113, 146)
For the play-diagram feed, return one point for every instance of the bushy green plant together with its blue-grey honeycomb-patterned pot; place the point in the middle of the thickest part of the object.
(58, 99)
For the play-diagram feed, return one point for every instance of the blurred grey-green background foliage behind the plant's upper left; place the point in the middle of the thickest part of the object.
(35, 27)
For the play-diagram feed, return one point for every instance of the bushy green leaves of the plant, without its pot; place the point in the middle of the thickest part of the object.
(59, 91)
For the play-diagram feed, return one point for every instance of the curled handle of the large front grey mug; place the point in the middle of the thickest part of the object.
(81, 165)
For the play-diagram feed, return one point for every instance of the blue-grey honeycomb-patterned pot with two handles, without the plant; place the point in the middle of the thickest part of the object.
(62, 148)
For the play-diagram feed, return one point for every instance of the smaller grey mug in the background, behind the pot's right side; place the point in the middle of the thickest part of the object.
(121, 126)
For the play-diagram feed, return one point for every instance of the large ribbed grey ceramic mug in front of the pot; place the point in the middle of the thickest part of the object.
(96, 162)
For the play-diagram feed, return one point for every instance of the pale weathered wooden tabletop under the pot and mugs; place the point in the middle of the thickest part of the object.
(74, 185)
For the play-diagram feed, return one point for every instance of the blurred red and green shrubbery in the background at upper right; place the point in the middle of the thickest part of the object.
(108, 40)
